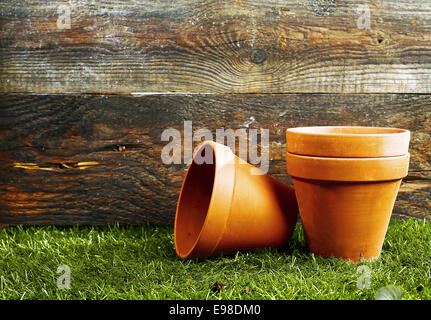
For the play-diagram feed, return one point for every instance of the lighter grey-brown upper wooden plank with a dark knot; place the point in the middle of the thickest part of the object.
(243, 46)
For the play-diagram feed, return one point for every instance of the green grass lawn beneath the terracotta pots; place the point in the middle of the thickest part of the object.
(139, 262)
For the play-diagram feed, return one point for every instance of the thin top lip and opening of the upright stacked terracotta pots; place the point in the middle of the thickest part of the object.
(324, 131)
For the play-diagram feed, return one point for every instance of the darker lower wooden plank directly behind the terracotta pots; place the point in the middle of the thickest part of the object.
(92, 159)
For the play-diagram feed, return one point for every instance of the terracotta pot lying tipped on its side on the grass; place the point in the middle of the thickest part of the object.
(226, 207)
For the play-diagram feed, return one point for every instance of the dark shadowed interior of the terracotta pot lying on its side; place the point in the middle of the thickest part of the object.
(194, 203)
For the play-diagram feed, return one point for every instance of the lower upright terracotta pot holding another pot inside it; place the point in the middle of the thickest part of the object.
(346, 203)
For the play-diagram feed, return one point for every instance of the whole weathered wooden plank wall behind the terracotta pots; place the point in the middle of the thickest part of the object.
(82, 109)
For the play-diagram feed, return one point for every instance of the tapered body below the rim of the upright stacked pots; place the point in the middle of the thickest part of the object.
(346, 220)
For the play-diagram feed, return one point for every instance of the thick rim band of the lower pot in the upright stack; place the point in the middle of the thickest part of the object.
(347, 169)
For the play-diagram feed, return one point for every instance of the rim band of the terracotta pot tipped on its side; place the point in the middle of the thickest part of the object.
(224, 177)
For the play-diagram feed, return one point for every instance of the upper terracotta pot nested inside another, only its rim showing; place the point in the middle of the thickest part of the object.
(348, 142)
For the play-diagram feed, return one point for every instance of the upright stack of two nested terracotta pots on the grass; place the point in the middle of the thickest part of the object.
(346, 180)
